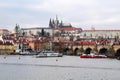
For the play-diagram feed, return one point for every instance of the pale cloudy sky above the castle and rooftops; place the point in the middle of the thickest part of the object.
(85, 14)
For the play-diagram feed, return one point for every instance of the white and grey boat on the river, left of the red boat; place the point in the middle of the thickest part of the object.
(49, 54)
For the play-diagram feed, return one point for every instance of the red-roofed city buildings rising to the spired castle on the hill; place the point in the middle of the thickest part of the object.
(57, 36)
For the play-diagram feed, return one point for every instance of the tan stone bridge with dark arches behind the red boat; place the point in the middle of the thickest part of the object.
(96, 49)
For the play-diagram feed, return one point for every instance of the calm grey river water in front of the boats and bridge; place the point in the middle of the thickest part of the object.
(62, 68)
